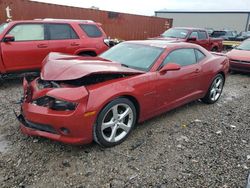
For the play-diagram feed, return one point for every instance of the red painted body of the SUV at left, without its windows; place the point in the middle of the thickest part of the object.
(27, 55)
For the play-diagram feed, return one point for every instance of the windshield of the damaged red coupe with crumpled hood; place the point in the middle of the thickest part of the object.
(135, 56)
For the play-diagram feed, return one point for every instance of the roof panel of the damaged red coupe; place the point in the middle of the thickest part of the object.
(163, 43)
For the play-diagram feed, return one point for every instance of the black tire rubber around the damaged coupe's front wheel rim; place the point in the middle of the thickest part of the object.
(97, 130)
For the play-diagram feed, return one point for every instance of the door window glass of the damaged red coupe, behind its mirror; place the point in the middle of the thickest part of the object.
(182, 57)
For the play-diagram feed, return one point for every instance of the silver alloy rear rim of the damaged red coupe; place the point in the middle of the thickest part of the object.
(216, 88)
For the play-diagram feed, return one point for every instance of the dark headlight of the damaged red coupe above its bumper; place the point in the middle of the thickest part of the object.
(54, 104)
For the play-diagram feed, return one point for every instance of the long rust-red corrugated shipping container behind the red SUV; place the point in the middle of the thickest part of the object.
(116, 25)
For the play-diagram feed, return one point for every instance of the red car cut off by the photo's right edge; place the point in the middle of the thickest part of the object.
(240, 57)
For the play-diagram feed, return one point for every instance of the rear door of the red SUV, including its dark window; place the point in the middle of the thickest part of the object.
(62, 38)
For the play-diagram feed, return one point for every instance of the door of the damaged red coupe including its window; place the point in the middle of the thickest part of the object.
(177, 87)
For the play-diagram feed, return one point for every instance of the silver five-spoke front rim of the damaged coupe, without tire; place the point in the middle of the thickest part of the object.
(117, 122)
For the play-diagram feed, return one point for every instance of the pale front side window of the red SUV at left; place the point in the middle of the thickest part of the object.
(27, 32)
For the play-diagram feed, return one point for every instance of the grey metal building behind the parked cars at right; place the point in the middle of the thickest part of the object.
(235, 20)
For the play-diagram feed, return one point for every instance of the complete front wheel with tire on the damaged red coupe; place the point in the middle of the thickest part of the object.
(115, 122)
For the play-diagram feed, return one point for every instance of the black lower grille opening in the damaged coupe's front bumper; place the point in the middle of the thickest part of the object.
(36, 126)
